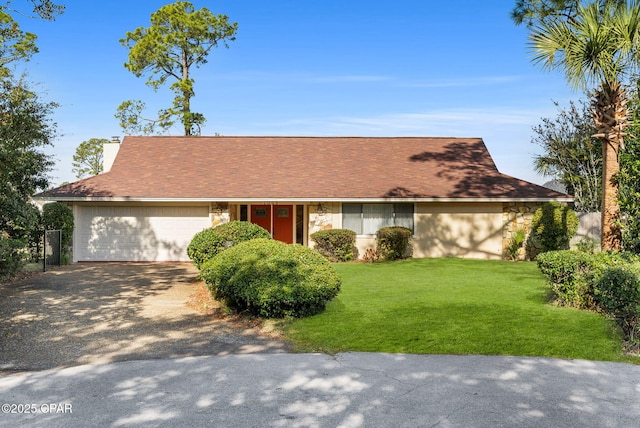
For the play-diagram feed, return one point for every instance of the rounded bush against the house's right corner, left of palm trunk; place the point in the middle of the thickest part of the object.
(553, 225)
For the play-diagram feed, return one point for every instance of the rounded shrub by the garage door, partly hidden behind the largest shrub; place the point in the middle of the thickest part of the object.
(207, 244)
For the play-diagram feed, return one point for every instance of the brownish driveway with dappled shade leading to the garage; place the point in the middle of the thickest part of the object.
(106, 312)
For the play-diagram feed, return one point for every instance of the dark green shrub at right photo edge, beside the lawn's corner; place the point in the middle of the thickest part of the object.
(618, 295)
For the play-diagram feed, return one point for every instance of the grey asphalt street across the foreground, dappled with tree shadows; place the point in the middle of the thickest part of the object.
(315, 390)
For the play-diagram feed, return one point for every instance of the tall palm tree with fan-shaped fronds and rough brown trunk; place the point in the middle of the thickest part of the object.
(599, 48)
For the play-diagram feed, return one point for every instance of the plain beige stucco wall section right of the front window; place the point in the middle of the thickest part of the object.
(466, 230)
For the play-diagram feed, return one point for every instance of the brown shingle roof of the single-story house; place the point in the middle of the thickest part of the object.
(302, 168)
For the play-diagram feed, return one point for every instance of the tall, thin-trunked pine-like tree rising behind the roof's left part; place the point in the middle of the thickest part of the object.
(179, 38)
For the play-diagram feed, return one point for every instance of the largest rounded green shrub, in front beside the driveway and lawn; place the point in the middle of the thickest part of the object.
(272, 279)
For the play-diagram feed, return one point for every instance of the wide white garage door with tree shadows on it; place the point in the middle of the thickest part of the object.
(137, 233)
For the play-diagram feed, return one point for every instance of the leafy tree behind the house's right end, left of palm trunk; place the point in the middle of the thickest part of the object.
(572, 155)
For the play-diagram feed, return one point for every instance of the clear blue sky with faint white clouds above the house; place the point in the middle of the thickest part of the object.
(314, 68)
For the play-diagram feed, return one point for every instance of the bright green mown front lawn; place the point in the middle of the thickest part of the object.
(452, 306)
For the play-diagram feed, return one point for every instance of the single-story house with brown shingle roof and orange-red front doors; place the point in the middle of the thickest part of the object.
(157, 192)
